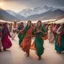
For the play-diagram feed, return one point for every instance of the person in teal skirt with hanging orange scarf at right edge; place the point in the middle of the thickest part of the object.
(59, 41)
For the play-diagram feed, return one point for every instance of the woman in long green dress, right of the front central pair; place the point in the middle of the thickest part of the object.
(39, 31)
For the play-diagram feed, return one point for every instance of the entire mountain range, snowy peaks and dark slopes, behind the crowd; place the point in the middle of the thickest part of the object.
(37, 13)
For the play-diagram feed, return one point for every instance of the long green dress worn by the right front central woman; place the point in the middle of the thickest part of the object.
(39, 41)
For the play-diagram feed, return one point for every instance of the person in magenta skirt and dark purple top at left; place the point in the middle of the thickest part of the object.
(6, 43)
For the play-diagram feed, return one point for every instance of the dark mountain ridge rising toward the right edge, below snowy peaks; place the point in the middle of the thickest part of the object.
(54, 14)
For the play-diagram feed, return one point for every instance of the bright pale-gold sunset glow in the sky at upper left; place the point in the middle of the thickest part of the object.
(14, 6)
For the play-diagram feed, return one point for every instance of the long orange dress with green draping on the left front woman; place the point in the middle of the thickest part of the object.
(26, 42)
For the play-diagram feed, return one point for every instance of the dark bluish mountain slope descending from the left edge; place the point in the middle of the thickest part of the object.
(6, 16)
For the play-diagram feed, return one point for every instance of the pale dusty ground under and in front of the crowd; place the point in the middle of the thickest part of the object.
(16, 56)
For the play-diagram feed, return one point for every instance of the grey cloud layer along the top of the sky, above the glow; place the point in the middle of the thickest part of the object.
(33, 3)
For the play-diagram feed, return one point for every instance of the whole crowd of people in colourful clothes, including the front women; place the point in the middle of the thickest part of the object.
(41, 31)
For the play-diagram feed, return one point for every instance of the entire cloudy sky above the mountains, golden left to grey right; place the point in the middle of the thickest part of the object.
(18, 5)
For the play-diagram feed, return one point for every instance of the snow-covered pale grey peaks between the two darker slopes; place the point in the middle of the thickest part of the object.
(36, 10)
